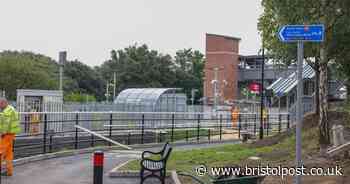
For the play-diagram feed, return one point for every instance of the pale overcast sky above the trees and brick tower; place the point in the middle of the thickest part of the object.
(90, 29)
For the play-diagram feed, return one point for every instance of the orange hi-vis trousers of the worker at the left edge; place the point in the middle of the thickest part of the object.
(6, 150)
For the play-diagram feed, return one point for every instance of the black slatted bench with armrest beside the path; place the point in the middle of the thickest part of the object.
(156, 168)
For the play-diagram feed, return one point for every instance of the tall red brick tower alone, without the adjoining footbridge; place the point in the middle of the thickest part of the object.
(222, 60)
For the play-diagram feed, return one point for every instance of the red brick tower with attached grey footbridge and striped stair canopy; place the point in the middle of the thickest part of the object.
(227, 73)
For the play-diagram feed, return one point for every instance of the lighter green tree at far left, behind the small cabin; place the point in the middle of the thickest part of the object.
(26, 70)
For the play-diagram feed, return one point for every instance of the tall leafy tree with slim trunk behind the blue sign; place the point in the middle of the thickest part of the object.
(334, 14)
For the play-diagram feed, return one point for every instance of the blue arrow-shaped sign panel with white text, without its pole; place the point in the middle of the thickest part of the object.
(306, 33)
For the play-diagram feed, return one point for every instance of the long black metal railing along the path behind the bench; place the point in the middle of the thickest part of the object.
(45, 132)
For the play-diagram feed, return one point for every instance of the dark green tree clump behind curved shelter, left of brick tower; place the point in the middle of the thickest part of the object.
(138, 66)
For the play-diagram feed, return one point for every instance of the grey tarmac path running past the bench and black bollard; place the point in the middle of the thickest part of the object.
(77, 169)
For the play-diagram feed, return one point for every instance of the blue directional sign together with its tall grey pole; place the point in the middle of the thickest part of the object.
(300, 34)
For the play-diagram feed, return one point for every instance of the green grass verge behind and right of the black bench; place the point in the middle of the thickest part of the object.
(272, 150)
